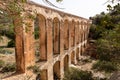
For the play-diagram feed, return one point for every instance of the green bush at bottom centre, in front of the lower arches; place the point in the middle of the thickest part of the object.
(76, 74)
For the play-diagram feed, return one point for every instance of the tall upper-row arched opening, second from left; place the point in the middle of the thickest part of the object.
(56, 36)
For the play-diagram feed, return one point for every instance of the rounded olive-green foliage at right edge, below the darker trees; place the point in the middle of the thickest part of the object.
(108, 48)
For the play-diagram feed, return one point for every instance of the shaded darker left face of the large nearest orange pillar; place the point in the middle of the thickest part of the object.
(19, 46)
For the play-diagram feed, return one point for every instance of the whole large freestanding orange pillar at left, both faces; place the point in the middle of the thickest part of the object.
(24, 42)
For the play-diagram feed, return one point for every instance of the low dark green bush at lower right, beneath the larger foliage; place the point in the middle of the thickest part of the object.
(104, 66)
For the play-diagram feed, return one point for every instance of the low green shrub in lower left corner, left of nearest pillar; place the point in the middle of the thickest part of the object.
(9, 68)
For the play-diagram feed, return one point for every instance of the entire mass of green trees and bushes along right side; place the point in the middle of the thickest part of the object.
(106, 30)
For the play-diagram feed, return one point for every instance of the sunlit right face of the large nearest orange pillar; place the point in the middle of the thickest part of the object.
(29, 41)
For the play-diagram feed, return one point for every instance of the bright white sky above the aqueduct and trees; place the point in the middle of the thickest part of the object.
(83, 8)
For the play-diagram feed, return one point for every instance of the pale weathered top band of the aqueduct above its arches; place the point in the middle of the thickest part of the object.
(50, 12)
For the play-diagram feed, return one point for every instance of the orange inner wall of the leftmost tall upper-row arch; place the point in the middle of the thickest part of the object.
(42, 37)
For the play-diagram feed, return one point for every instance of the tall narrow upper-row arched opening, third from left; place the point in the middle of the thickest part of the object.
(66, 35)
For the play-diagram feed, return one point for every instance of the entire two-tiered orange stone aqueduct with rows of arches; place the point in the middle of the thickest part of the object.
(63, 39)
